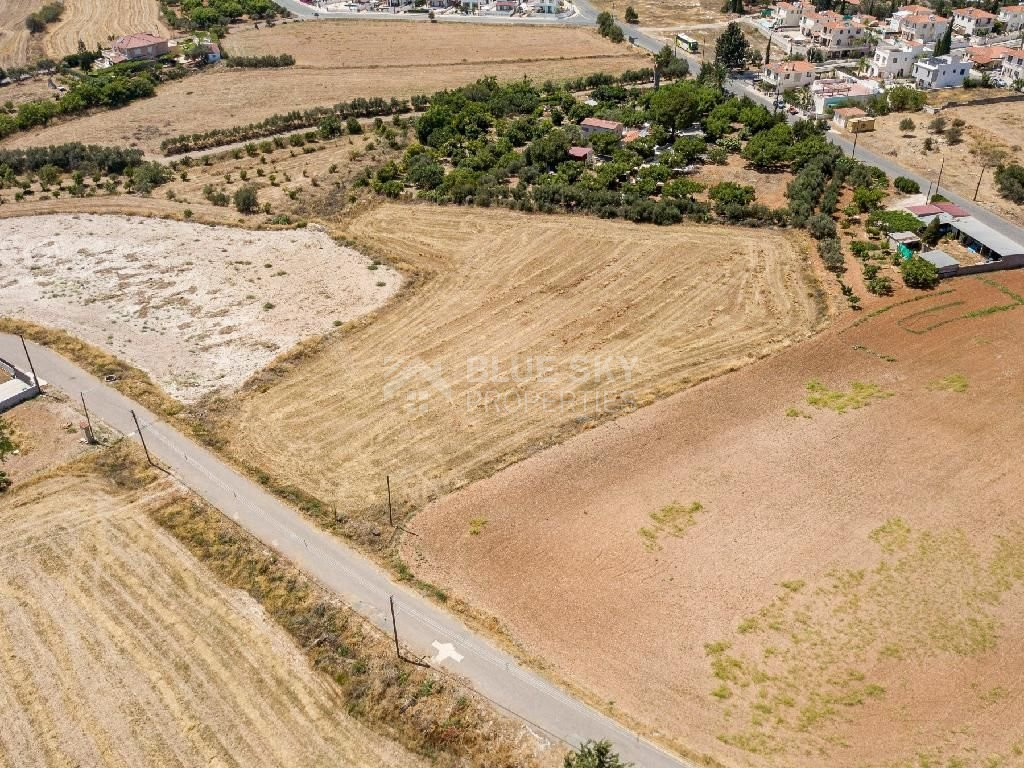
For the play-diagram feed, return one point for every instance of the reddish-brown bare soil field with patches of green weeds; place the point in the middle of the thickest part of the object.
(816, 561)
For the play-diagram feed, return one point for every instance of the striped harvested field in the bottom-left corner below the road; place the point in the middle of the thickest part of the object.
(118, 649)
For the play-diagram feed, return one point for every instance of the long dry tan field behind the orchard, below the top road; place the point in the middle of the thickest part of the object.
(223, 98)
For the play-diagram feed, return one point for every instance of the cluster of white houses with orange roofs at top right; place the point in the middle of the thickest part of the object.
(851, 57)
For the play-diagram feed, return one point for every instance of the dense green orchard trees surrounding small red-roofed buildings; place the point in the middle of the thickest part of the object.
(509, 145)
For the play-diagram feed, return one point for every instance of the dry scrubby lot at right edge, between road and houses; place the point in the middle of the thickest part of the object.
(1000, 125)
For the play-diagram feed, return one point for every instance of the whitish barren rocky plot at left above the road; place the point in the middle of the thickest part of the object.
(200, 309)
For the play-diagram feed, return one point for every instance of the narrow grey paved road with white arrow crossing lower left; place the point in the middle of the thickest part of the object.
(424, 629)
